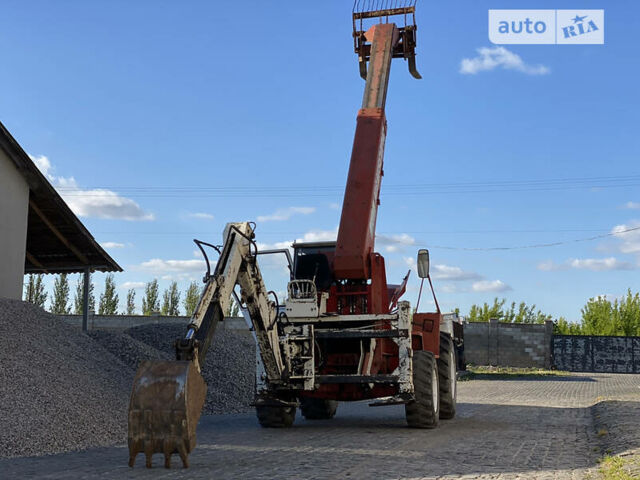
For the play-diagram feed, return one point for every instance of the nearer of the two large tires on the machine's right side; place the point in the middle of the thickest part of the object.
(423, 412)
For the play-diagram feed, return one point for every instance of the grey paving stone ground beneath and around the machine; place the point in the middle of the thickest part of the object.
(544, 428)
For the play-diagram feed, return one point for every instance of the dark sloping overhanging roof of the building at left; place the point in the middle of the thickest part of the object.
(57, 241)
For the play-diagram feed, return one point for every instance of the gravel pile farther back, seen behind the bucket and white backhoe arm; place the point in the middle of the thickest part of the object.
(229, 369)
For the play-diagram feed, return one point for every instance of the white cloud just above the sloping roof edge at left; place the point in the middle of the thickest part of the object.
(95, 203)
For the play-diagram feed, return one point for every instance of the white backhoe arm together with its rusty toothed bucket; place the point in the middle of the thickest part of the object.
(167, 397)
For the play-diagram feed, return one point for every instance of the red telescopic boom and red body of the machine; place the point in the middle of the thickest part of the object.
(354, 274)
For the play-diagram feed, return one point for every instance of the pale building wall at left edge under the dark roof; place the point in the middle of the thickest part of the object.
(14, 210)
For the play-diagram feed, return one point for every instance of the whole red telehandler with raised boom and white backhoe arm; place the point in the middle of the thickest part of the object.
(342, 334)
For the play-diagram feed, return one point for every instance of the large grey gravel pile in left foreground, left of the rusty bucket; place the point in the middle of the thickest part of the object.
(59, 390)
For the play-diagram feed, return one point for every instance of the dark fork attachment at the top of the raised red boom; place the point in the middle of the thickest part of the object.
(367, 13)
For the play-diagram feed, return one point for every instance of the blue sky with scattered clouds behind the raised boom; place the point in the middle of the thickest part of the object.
(161, 121)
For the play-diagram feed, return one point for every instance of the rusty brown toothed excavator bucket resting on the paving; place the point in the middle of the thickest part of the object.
(165, 406)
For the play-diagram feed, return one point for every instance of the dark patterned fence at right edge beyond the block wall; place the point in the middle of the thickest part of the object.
(583, 353)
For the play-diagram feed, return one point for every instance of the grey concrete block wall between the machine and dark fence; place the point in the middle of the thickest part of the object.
(508, 344)
